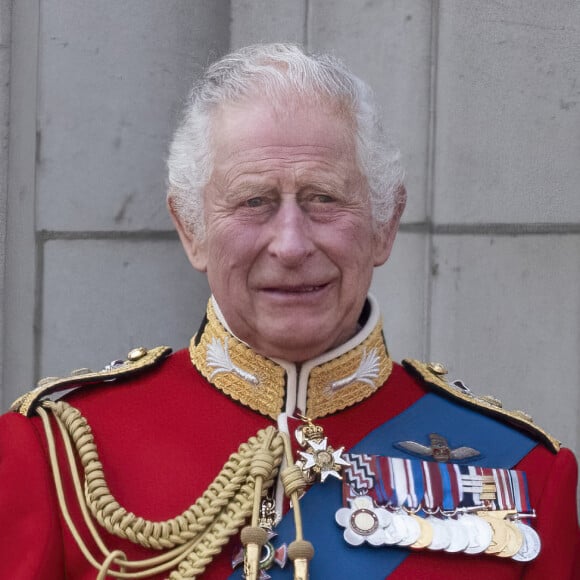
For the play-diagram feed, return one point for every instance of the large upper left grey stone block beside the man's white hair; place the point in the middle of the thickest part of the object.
(111, 86)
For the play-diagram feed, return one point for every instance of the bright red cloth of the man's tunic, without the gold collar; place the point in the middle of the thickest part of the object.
(163, 436)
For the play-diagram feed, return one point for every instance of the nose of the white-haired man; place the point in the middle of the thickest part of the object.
(291, 235)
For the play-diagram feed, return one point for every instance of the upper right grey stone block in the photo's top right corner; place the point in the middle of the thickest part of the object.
(508, 112)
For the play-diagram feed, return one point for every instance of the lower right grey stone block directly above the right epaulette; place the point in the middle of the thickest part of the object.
(505, 314)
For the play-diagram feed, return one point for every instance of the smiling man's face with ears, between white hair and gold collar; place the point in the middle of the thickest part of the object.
(289, 248)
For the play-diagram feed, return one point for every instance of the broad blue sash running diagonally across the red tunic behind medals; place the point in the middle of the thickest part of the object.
(500, 446)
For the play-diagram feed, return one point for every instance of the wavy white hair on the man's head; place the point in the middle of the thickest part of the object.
(278, 71)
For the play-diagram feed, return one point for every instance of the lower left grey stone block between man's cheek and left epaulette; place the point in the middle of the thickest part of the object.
(103, 297)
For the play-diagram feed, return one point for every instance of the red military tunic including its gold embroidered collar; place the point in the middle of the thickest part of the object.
(164, 433)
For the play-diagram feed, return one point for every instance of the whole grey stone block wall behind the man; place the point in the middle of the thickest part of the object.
(483, 98)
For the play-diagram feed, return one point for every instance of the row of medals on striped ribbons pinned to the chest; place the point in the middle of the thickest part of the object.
(391, 501)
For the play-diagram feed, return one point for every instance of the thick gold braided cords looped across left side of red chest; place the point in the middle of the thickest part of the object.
(193, 538)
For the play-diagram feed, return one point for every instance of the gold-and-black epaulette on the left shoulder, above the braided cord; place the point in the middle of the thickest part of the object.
(138, 360)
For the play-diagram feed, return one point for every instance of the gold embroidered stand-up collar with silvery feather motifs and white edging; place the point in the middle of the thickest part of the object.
(333, 381)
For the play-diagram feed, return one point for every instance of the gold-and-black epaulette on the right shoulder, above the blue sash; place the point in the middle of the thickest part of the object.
(432, 375)
